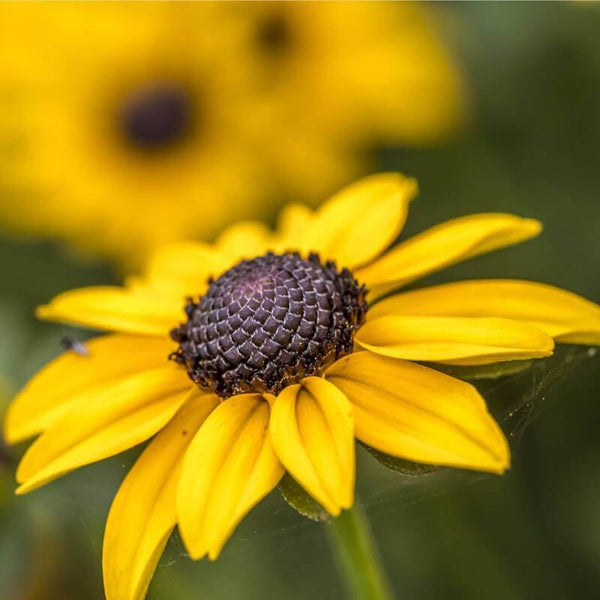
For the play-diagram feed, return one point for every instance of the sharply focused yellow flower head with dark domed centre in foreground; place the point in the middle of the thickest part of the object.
(271, 352)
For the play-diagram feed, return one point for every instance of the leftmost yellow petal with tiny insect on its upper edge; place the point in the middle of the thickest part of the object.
(72, 379)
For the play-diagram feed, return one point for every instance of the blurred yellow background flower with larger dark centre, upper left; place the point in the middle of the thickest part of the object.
(121, 123)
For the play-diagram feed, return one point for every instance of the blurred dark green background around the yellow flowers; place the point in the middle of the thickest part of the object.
(531, 149)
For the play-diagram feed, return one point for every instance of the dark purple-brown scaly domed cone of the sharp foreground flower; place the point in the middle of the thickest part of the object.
(268, 322)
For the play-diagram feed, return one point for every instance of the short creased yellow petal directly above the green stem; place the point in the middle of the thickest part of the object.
(312, 429)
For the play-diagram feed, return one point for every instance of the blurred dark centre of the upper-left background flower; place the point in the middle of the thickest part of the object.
(156, 116)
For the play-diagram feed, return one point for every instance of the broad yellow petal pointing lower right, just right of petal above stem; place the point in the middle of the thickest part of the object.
(416, 413)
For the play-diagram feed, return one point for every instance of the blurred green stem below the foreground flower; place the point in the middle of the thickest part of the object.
(356, 556)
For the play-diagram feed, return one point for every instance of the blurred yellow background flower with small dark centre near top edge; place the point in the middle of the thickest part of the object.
(370, 72)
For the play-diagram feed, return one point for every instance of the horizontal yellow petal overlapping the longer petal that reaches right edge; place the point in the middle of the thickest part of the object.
(454, 340)
